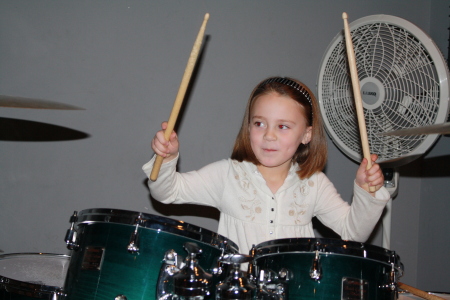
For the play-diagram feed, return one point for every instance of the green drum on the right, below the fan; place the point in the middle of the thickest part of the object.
(312, 268)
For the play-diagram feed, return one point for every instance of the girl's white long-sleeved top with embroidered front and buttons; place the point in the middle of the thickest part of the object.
(250, 213)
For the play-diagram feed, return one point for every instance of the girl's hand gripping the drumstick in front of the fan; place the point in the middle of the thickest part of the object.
(370, 178)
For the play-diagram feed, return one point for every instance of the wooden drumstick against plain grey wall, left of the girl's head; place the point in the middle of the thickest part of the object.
(180, 96)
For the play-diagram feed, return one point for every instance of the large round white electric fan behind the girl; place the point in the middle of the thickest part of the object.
(404, 84)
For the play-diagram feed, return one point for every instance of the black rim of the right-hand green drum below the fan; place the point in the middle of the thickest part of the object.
(356, 249)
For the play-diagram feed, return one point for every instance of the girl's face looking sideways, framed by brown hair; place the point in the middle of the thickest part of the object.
(277, 127)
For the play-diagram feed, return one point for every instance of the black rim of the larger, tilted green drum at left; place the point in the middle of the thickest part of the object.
(155, 222)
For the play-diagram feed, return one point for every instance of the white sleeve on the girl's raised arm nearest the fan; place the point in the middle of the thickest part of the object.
(353, 222)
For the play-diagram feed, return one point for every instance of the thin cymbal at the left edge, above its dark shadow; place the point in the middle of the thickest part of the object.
(20, 102)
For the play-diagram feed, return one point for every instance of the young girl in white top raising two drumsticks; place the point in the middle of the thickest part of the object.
(272, 186)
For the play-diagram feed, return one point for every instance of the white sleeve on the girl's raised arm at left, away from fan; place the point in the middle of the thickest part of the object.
(204, 186)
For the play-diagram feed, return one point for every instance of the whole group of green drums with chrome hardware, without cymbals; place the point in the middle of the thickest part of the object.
(125, 255)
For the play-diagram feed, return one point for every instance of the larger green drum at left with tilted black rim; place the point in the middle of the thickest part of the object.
(118, 254)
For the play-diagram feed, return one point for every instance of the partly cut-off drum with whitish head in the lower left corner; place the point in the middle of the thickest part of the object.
(32, 275)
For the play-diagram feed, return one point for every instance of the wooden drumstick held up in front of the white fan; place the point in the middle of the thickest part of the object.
(357, 95)
